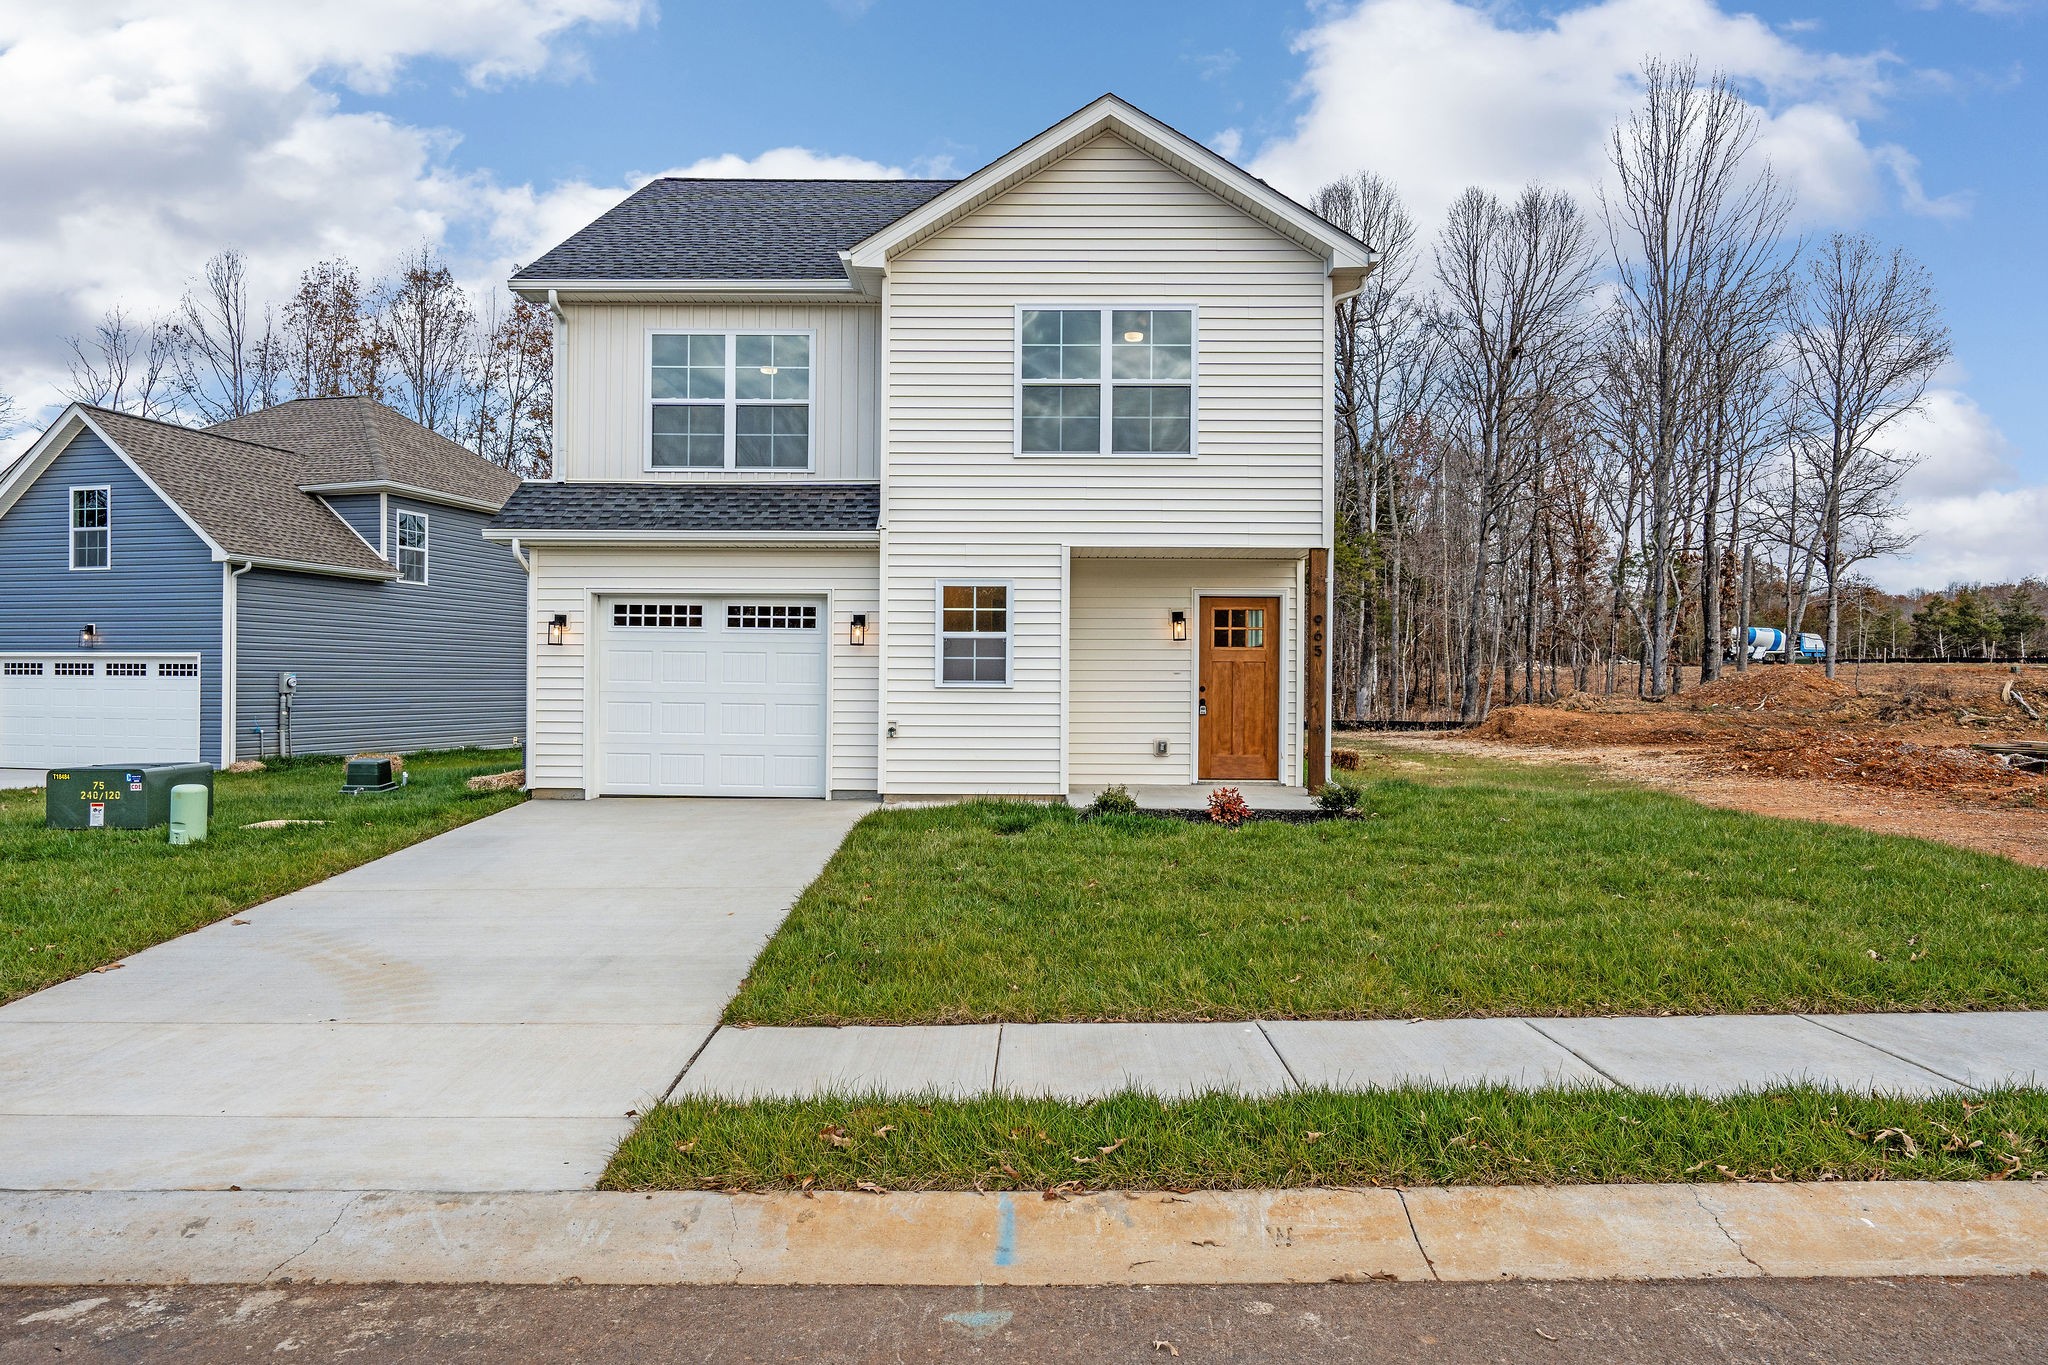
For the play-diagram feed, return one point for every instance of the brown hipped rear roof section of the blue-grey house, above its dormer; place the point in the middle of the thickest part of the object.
(361, 441)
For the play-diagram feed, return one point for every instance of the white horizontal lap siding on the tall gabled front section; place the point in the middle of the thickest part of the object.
(1103, 226)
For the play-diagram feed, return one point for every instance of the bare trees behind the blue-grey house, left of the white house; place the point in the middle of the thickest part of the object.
(478, 373)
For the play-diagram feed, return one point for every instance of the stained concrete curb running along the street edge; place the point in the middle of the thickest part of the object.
(1023, 1239)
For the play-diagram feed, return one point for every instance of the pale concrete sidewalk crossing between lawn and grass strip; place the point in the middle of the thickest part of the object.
(1897, 1055)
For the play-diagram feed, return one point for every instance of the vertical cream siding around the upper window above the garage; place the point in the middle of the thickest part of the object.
(605, 392)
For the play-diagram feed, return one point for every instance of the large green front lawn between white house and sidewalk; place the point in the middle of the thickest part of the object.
(1471, 889)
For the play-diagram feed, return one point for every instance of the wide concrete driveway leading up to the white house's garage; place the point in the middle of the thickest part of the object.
(478, 1012)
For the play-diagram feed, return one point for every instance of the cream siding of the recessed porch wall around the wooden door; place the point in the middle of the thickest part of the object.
(1132, 682)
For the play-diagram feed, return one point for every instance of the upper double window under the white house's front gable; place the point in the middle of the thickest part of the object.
(1107, 380)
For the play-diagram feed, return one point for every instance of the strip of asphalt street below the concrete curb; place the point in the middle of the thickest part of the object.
(1979, 1321)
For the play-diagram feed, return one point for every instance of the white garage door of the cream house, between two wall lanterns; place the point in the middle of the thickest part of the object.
(714, 697)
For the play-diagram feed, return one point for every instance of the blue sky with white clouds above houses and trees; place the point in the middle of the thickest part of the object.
(497, 126)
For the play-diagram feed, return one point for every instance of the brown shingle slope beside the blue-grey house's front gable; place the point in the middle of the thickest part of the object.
(243, 494)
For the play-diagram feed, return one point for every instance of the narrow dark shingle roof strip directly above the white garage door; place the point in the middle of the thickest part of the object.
(693, 507)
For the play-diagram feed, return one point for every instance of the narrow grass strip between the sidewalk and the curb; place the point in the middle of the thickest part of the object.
(1412, 1137)
